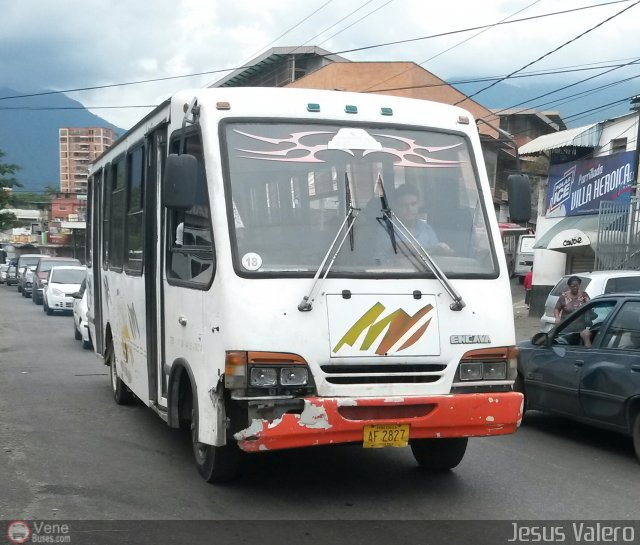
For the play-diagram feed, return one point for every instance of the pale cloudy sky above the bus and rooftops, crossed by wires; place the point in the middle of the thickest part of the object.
(68, 44)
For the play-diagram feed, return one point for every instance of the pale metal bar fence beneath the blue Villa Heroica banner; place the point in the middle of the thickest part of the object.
(618, 245)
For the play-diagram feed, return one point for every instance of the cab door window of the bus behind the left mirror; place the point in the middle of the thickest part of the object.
(191, 256)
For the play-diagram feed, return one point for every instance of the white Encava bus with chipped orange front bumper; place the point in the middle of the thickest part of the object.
(260, 276)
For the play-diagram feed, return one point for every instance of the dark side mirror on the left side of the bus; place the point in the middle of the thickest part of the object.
(180, 179)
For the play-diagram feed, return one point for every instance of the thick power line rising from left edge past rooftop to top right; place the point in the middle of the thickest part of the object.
(374, 46)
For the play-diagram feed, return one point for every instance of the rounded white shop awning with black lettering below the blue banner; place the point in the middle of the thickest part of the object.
(573, 234)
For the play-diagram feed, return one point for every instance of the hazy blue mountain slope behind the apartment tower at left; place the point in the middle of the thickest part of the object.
(29, 136)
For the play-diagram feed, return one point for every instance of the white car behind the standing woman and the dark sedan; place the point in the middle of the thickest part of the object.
(594, 284)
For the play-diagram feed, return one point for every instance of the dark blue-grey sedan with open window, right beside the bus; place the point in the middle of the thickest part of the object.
(597, 384)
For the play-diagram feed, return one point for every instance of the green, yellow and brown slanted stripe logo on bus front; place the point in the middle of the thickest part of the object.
(403, 330)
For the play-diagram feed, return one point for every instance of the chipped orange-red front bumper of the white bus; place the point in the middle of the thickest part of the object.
(325, 421)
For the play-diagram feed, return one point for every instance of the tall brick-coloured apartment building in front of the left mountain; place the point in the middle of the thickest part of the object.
(78, 147)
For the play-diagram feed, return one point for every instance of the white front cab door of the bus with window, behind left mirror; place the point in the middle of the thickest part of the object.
(188, 271)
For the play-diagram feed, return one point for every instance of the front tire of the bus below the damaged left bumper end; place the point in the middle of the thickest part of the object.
(215, 464)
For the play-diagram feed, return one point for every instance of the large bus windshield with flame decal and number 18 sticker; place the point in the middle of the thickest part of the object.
(289, 187)
